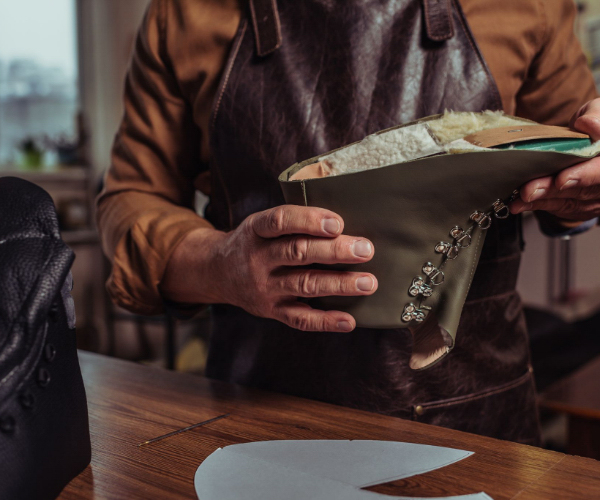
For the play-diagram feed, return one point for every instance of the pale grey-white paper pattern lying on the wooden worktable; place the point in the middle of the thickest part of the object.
(317, 470)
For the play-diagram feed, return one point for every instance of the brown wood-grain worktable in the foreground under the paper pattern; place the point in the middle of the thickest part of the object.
(129, 404)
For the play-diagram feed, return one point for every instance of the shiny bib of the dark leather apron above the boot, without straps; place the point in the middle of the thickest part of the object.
(344, 70)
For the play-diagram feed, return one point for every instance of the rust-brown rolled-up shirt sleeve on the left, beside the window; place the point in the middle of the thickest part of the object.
(147, 205)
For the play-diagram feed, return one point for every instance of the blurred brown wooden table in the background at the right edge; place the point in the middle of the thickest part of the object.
(578, 396)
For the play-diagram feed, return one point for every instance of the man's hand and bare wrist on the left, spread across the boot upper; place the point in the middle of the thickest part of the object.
(260, 267)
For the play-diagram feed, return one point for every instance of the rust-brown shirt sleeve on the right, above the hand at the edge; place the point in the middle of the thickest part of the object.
(558, 81)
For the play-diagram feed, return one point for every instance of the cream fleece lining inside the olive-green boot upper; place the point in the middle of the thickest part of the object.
(442, 135)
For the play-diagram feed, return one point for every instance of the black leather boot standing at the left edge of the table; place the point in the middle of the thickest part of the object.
(44, 432)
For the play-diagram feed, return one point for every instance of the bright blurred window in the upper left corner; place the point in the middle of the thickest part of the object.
(39, 99)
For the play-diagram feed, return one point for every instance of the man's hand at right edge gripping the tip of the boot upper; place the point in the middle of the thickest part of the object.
(574, 194)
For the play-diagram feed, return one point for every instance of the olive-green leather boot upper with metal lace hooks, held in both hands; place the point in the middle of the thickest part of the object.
(405, 210)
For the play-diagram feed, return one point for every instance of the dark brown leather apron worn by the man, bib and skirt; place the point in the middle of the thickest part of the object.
(307, 77)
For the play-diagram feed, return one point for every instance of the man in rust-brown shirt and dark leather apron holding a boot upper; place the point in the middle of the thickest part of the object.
(224, 96)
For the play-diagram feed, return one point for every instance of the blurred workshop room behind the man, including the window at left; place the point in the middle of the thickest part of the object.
(62, 66)
